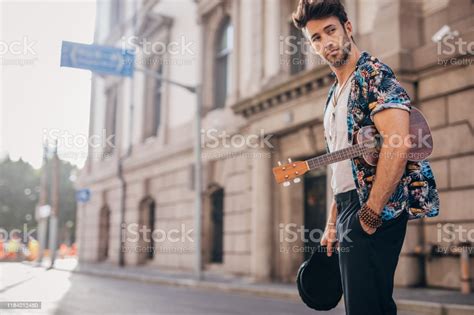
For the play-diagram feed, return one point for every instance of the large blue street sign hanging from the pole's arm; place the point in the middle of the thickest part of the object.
(99, 59)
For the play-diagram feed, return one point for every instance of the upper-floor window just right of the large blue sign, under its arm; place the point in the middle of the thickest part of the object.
(153, 105)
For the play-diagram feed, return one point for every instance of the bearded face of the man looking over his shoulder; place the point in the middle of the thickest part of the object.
(330, 39)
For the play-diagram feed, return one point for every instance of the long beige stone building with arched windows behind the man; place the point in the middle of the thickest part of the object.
(260, 81)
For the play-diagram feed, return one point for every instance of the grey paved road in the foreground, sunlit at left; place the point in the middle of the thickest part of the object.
(62, 292)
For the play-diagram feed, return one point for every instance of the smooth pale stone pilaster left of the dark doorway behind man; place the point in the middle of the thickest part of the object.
(261, 215)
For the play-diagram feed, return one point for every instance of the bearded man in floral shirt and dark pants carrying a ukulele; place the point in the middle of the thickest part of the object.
(372, 205)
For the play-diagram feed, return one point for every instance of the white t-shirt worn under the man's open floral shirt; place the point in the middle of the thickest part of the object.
(335, 129)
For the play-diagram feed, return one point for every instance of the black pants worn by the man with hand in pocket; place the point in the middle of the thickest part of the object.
(367, 262)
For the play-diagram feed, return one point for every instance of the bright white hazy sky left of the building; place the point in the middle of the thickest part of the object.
(39, 99)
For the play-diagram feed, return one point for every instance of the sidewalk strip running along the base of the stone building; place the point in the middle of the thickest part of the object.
(410, 301)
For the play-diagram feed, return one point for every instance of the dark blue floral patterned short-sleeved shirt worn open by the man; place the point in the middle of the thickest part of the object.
(374, 88)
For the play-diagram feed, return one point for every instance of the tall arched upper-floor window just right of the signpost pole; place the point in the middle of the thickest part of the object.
(223, 69)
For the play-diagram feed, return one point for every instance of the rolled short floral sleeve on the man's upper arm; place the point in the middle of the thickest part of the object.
(386, 92)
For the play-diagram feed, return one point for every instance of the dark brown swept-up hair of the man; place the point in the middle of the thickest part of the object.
(308, 10)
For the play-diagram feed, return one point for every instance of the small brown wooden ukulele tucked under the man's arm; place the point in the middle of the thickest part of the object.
(367, 143)
